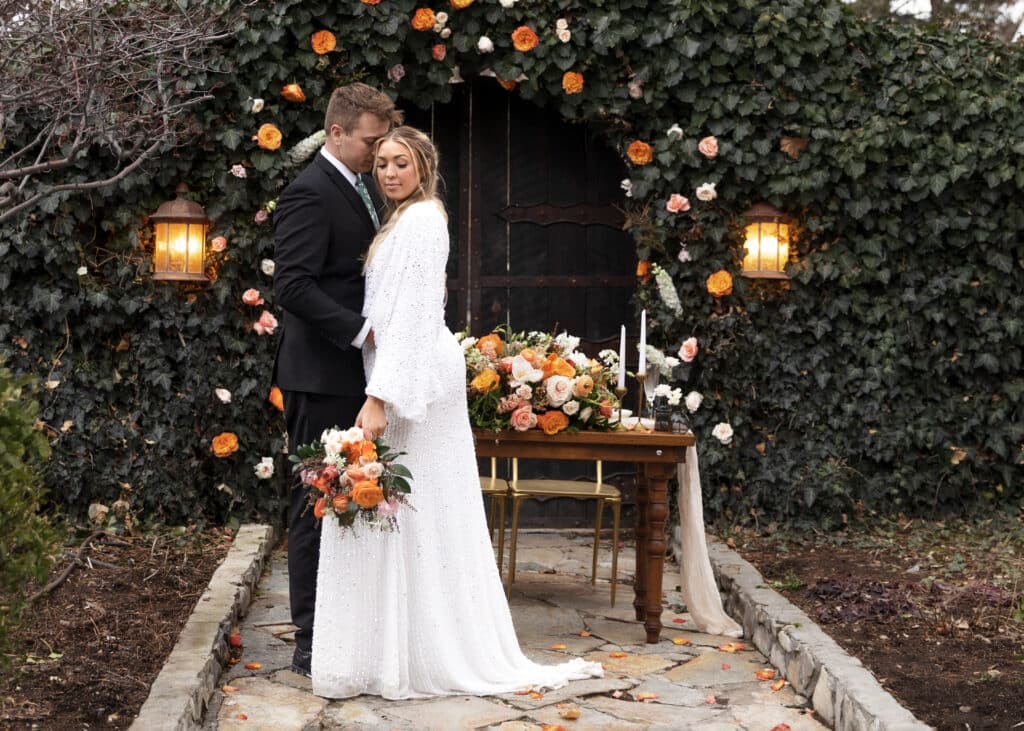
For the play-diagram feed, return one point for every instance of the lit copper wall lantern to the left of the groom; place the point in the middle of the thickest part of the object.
(181, 229)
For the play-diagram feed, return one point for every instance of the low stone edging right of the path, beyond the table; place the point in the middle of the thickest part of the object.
(844, 694)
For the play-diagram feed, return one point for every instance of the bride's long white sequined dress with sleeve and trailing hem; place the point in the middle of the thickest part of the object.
(420, 612)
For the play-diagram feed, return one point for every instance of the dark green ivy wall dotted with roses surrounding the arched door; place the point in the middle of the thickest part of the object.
(886, 376)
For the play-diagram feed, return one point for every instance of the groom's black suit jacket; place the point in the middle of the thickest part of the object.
(322, 230)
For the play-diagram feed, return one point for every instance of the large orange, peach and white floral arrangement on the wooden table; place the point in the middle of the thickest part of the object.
(525, 381)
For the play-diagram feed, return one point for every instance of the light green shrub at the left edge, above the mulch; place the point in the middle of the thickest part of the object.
(27, 538)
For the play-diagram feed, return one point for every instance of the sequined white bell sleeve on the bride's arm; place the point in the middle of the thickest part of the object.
(408, 313)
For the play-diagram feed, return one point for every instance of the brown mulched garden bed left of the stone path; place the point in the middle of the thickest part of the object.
(88, 653)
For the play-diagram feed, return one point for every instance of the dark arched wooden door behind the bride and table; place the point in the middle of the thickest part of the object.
(537, 240)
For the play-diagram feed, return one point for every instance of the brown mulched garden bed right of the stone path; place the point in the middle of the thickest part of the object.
(935, 611)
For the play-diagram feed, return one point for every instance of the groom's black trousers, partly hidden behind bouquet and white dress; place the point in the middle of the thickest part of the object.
(307, 416)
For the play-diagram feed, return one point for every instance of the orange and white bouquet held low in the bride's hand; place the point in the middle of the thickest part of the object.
(354, 479)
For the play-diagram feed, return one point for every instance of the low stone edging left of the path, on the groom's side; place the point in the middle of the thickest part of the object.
(187, 682)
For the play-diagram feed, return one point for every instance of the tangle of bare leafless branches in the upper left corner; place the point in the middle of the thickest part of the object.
(90, 90)
